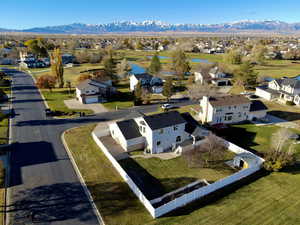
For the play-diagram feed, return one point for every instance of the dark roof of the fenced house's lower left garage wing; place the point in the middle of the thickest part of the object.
(129, 129)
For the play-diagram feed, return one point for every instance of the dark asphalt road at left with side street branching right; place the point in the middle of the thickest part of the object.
(43, 181)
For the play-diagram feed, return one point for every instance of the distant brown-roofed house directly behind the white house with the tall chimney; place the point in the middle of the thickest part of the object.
(214, 76)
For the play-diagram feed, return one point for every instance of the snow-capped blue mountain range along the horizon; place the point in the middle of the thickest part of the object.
(158, 26)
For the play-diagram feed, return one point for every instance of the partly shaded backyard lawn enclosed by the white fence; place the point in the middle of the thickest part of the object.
(174, 173)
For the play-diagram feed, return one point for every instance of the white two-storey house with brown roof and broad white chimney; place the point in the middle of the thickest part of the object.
(230, 109)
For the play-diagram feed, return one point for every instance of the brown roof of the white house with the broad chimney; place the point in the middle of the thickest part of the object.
(228, 100)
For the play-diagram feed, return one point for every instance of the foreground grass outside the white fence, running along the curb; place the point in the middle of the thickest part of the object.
(270, 200)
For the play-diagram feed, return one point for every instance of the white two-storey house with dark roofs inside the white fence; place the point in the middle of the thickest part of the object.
(156, 133)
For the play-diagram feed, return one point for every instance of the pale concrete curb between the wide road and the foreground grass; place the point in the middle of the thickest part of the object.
(82, 181)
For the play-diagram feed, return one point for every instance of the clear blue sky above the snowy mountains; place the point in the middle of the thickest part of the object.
(21, 14)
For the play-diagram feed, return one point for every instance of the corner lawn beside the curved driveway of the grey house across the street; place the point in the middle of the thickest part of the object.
(56, 97)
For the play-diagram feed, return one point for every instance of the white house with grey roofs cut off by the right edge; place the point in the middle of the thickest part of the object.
(284, 89)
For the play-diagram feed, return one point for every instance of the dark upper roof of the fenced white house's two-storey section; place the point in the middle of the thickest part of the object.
(162, 120)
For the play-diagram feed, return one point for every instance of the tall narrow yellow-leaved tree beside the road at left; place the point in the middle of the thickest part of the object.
(57, 67)
